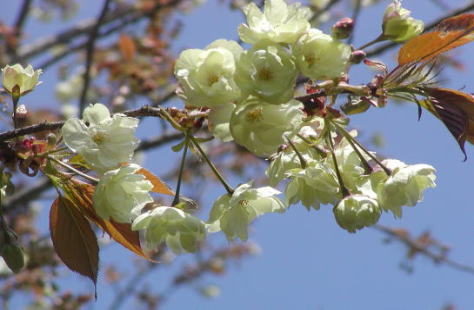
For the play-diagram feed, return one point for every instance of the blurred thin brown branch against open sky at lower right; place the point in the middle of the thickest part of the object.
(413, 244)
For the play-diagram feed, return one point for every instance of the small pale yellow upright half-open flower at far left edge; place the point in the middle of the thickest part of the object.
(18, 80)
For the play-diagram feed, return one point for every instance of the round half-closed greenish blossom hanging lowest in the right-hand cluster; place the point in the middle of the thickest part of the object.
(355, 212)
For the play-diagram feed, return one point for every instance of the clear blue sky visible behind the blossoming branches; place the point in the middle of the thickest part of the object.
(307, 261)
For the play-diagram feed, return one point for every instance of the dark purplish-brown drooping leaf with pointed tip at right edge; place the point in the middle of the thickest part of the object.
(456, 110)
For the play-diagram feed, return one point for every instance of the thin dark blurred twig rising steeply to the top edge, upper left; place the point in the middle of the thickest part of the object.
(90, 54)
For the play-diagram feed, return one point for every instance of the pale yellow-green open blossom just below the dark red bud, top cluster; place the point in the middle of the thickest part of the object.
(320, 56)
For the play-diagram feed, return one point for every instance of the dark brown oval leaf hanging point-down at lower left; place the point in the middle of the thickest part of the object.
(73, 239)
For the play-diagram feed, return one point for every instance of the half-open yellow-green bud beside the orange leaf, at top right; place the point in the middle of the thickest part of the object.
(397, 25)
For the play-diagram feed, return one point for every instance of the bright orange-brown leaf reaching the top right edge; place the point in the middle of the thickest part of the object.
(448, 34)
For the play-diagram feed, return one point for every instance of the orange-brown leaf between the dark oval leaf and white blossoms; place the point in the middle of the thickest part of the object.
(121, 232)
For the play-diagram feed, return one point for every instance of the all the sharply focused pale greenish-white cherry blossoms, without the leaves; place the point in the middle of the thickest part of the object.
(248, 96)
